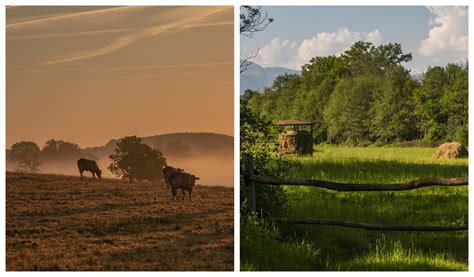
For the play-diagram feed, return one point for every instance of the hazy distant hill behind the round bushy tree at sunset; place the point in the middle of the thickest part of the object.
(180, 145)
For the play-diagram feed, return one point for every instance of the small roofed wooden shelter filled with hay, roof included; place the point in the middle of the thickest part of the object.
(298, 140)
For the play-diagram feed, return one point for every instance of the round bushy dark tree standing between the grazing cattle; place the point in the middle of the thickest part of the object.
(134, 160)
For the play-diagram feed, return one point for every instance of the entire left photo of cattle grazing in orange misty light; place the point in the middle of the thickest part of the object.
(119, 138)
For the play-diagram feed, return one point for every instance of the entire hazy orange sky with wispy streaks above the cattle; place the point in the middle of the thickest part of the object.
(90, 74)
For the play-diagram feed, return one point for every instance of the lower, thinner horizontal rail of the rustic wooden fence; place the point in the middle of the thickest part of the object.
(373, 227)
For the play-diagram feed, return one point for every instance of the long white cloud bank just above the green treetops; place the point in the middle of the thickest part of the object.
(293, 55)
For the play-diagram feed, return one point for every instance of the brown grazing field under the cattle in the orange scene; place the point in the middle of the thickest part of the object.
(57, 222)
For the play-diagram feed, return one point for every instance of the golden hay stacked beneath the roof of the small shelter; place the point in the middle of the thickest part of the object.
(291, 142)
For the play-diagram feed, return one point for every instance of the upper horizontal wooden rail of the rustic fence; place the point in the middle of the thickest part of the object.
(415, 184)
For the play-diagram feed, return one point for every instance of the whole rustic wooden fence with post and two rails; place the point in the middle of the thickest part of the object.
(250, 180)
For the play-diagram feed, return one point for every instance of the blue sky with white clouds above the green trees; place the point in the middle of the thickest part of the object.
(434, 35)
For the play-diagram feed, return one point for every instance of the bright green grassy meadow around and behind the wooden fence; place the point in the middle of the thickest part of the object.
(339, 248)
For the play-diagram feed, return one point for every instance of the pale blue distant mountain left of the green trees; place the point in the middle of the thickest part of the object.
(257, 77)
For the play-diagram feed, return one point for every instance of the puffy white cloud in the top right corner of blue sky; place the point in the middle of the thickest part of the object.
(448, 37)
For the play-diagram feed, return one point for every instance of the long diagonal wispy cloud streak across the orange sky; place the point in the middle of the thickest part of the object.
(186, 16)
